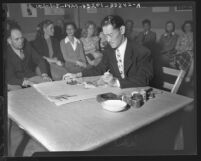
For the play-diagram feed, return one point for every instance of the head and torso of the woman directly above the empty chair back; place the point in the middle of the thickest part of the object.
(167, 44)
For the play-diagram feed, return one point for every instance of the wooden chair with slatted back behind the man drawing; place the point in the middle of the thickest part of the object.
(179, 140)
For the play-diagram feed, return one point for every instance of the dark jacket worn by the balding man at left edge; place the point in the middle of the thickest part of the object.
(18, 69)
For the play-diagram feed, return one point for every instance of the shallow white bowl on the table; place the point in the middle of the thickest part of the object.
(114, 105)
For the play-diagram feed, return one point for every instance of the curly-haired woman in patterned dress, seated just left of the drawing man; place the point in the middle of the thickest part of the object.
(90, 42)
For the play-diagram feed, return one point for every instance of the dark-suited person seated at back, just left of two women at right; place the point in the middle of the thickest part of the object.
(147, 37)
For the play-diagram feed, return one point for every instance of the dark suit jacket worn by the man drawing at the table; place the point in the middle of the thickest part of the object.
(137, 66)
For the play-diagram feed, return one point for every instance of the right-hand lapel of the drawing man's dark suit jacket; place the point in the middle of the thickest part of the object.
(127, 57)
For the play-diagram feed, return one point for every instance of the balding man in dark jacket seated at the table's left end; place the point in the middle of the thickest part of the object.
(20, 59)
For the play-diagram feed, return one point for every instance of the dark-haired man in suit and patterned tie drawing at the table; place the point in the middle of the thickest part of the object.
(129, 64)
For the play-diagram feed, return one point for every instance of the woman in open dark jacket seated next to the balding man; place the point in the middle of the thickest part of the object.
(48, 47)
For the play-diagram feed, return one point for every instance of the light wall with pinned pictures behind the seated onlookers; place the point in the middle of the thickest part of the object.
(81, 16)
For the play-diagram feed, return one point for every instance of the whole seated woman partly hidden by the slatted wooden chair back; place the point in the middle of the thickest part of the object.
(164, 55)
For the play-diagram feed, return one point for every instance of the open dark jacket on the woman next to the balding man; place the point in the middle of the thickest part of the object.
(40, 45)
